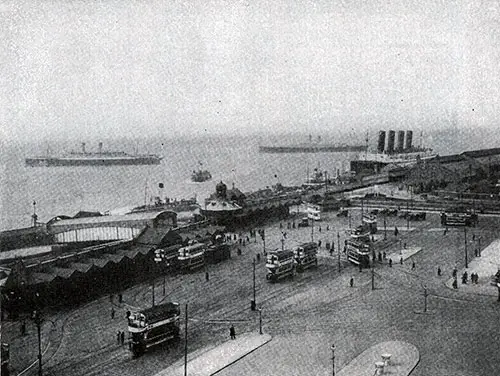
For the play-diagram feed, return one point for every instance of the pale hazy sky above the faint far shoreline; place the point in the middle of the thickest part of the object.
(139, 68)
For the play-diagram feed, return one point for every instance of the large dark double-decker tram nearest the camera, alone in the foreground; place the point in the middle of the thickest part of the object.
(152, 326)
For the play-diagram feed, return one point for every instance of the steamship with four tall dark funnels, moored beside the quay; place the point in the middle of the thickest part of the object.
(402, 154)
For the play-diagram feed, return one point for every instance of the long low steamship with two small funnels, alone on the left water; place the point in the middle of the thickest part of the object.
(99, 158)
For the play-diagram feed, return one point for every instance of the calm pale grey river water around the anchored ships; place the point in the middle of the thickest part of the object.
(67, 190)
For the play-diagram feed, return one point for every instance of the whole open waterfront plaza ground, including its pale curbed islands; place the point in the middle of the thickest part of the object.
(402, 303)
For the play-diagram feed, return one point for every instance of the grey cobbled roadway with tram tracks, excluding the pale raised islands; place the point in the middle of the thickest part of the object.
(457, 335)
